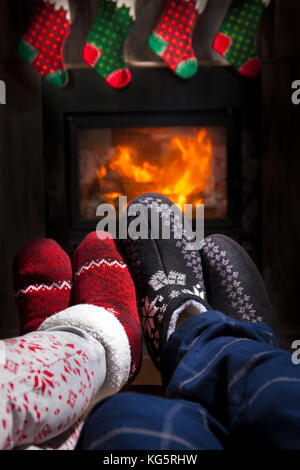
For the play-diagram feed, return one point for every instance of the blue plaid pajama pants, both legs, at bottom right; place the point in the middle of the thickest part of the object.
(228, 386)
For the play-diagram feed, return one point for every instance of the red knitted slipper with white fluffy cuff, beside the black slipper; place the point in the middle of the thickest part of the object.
(105, 308)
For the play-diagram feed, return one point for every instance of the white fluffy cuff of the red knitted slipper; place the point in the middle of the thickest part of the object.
(105, 328)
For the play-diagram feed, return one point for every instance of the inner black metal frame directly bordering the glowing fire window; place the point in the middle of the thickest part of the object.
(110, 120)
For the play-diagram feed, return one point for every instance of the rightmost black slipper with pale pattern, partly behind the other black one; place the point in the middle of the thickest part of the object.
(233, 284)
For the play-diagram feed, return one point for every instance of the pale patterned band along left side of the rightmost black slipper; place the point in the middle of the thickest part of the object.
(230, 281)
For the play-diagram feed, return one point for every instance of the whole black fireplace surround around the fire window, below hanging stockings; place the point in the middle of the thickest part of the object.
(216, 96)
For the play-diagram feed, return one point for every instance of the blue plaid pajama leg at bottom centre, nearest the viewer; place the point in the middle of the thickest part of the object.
(132, 421)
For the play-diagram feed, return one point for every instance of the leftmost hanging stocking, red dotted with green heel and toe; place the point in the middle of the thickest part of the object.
(42, 45)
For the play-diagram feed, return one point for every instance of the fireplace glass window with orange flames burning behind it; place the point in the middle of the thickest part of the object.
(188, 164)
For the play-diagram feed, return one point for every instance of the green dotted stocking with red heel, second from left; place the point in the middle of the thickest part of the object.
(104, 47)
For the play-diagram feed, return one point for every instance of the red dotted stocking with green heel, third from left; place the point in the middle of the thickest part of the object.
(172, 36)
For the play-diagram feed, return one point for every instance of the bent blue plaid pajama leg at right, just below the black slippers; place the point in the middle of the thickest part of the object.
(236, 371)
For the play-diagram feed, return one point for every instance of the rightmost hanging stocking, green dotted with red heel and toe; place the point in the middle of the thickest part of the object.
(236, 40)
